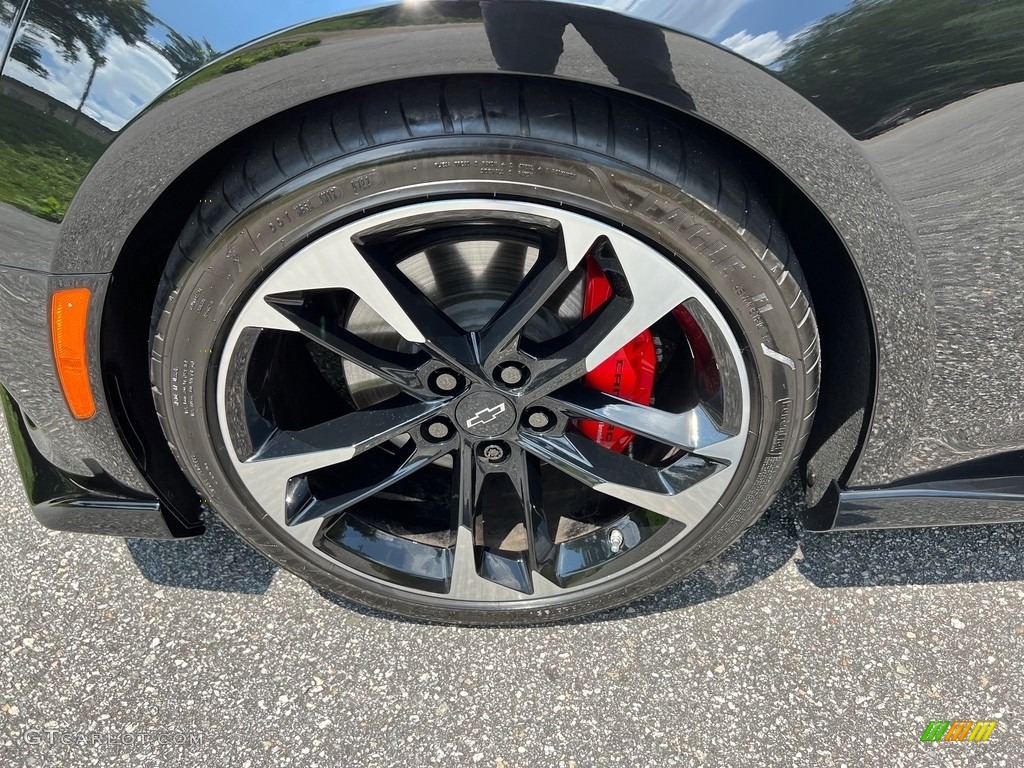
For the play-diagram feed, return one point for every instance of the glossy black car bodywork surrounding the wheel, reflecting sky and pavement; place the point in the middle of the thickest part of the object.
(913, 244)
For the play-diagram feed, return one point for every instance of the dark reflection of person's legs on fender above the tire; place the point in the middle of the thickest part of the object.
(527, 36)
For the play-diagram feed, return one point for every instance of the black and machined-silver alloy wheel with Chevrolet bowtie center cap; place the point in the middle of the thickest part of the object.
(463, 431)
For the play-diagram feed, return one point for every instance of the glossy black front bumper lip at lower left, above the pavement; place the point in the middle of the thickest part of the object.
(62, 501)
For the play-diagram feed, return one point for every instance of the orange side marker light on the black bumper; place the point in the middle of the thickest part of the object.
(69, 312)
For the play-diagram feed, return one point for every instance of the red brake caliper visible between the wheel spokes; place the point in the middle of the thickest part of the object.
(628, 374)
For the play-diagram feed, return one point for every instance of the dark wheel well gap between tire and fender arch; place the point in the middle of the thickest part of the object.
(838, 294)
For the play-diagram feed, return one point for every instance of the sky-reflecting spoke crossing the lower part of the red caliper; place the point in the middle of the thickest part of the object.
(693, 431)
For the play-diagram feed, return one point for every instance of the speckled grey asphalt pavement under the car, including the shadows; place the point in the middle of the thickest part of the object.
(791, 650)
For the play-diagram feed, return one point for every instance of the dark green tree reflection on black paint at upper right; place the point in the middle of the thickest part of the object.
(882, 63)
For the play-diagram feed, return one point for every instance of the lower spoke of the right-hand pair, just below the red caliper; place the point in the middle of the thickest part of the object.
(672, 492)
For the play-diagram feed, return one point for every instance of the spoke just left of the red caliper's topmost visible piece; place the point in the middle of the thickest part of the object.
(560, 258)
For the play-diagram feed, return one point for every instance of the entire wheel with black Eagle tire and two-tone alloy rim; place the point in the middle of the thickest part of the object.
(664, 211)
